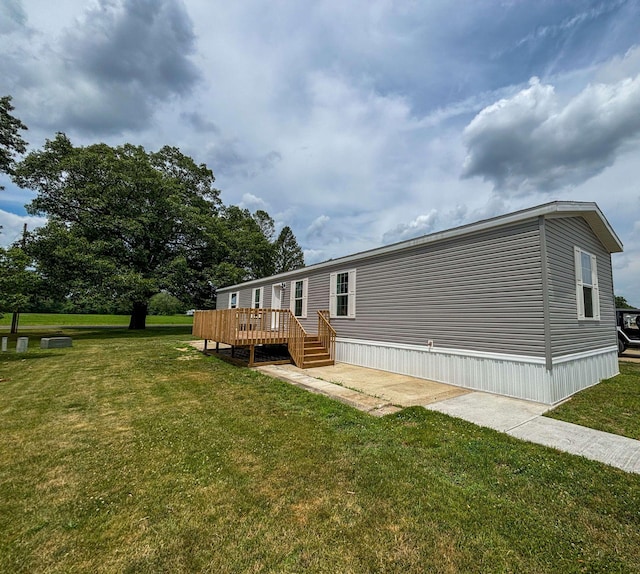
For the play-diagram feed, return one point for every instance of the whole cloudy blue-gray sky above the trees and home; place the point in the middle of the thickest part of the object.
(358, 122)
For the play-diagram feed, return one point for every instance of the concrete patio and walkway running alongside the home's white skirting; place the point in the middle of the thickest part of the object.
(379, 393)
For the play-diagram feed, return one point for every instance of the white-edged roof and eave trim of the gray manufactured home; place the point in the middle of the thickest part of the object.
(589, 211)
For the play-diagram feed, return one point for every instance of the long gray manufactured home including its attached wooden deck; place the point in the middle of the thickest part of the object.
(520, 305)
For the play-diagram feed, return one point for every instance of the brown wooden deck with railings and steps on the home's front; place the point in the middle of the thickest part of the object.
(254, 327)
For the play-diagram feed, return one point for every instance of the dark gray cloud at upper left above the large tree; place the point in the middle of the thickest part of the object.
(122, 59)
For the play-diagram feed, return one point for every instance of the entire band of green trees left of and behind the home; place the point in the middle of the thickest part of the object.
(127, 227)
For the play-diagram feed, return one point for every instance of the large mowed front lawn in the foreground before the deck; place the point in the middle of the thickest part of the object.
(131, 452)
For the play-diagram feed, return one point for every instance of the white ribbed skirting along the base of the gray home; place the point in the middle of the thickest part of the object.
(511, 375)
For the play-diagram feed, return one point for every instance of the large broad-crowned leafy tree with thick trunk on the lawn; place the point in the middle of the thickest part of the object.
(123, 223)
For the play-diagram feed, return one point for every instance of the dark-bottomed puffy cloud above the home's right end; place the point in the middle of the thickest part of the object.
(534, 142)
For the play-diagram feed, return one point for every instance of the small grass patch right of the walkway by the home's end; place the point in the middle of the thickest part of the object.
(611, 406)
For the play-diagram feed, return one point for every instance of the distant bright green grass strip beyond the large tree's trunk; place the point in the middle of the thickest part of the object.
(70, 319)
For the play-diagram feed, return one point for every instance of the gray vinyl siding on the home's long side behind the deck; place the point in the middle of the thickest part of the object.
(481, 291)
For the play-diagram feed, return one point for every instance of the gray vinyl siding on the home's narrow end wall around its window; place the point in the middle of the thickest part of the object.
(568, 334)
